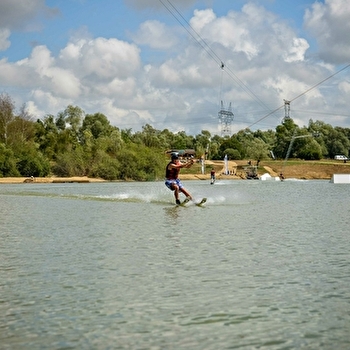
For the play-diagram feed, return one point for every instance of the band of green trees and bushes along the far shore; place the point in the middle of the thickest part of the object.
(73, 143)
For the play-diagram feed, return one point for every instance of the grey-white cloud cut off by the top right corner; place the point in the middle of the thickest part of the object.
(329, 23)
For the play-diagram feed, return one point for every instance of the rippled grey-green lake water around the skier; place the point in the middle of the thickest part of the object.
(263, 265)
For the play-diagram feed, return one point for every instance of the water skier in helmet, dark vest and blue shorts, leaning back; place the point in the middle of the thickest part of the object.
(172, 181)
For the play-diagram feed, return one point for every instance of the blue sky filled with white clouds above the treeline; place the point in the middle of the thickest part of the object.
(172, 64)
